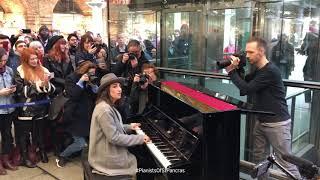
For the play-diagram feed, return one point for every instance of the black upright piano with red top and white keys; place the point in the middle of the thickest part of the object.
(193, 134)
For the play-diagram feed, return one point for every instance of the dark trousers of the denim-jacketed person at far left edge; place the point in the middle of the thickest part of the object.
(5, 129)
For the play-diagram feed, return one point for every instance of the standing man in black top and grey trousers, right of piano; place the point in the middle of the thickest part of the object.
(266, 86)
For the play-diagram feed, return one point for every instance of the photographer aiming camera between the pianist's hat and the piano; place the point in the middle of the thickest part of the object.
(139, 89)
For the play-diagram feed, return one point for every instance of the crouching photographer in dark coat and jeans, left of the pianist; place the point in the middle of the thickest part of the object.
(81, 88)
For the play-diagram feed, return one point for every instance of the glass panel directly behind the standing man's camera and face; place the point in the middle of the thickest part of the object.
(227, 31)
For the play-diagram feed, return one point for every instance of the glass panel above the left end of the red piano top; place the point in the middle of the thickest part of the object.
(182, 43)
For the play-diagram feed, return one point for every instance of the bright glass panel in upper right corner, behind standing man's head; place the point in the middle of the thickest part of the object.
(292, 29)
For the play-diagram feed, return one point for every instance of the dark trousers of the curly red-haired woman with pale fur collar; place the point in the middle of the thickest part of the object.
(23, 128)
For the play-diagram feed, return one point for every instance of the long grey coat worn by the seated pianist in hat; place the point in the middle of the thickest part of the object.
(109, 142)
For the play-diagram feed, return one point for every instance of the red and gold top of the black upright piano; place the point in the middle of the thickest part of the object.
(197, 99)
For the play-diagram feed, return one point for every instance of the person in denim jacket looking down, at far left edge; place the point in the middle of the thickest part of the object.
(7, 90)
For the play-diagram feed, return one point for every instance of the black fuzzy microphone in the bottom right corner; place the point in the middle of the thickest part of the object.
(306, 167)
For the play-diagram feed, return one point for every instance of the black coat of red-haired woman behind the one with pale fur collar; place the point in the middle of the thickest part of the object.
(60, 70)
